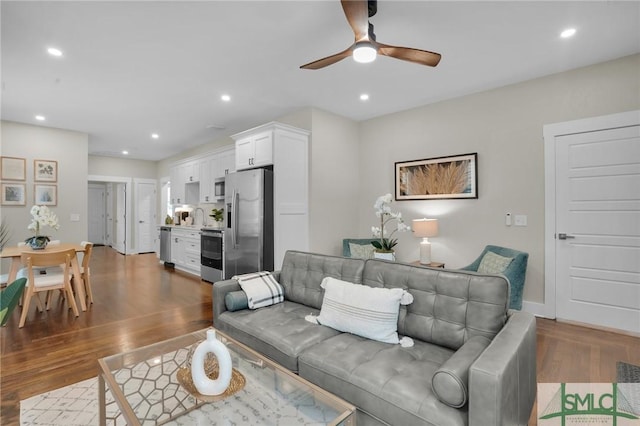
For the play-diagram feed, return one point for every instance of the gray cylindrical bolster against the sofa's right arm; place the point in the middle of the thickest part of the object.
(451, 381)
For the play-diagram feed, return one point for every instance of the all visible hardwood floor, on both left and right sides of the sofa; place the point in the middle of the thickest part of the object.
(138, 302)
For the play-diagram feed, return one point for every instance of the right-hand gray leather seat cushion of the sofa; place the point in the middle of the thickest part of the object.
(390, 382)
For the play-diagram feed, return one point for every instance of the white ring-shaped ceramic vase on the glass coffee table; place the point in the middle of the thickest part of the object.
(203, 384)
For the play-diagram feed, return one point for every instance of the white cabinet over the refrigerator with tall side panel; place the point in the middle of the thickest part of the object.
(288, 151)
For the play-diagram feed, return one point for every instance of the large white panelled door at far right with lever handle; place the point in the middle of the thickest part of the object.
(598, 227)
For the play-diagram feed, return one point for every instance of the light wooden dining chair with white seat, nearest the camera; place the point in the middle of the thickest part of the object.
(37, 282)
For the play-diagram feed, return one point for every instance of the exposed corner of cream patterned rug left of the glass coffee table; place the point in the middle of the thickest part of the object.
(76, 404)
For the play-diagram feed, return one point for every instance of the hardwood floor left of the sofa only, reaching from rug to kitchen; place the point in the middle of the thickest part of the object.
(136, 302)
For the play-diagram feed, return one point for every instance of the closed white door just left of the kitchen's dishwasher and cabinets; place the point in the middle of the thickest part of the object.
(146, 216)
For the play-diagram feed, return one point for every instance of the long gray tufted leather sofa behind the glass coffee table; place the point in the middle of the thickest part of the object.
(473, 361)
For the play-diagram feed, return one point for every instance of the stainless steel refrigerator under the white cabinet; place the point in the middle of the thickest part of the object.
(248, 240)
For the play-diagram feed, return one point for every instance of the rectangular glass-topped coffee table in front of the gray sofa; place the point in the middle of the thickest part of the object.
(140, 387)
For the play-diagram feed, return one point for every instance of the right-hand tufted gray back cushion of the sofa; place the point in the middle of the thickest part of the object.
(449, 307)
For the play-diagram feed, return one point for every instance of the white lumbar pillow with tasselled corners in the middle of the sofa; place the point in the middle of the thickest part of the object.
(359, 309)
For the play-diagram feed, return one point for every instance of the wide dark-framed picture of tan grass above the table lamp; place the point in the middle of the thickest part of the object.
(450, 177)
